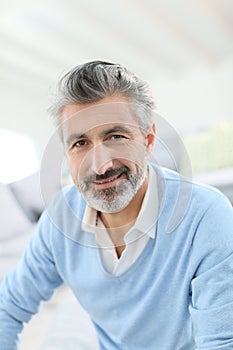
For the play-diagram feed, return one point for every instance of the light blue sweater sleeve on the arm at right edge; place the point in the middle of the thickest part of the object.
(212, 285)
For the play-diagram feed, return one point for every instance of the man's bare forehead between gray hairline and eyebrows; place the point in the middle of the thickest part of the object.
(83, 118)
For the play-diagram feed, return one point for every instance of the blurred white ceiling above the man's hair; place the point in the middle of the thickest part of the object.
(155, 38)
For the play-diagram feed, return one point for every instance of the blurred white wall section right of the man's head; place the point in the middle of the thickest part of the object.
(198, 99)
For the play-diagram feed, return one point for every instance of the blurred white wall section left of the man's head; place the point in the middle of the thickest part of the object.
(25, 110)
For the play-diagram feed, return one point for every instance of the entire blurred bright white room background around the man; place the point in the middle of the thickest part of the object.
(183, 48)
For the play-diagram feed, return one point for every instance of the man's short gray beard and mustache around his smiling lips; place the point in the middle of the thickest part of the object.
(114, 198)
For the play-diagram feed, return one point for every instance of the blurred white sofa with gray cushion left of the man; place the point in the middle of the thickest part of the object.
(21, 205)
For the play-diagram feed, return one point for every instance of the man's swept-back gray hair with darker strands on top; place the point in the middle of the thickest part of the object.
(92, 81)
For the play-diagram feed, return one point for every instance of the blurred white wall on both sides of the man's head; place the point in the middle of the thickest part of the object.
(188, 103)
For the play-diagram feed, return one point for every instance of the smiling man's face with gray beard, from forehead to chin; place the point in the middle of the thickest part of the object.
(106, 152)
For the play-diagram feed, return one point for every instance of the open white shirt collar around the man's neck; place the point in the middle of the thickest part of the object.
(147, 217)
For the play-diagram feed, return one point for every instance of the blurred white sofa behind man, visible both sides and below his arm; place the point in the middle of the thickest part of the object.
(20, 208)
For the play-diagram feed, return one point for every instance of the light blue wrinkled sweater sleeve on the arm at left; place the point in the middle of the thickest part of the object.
(32, 281)
